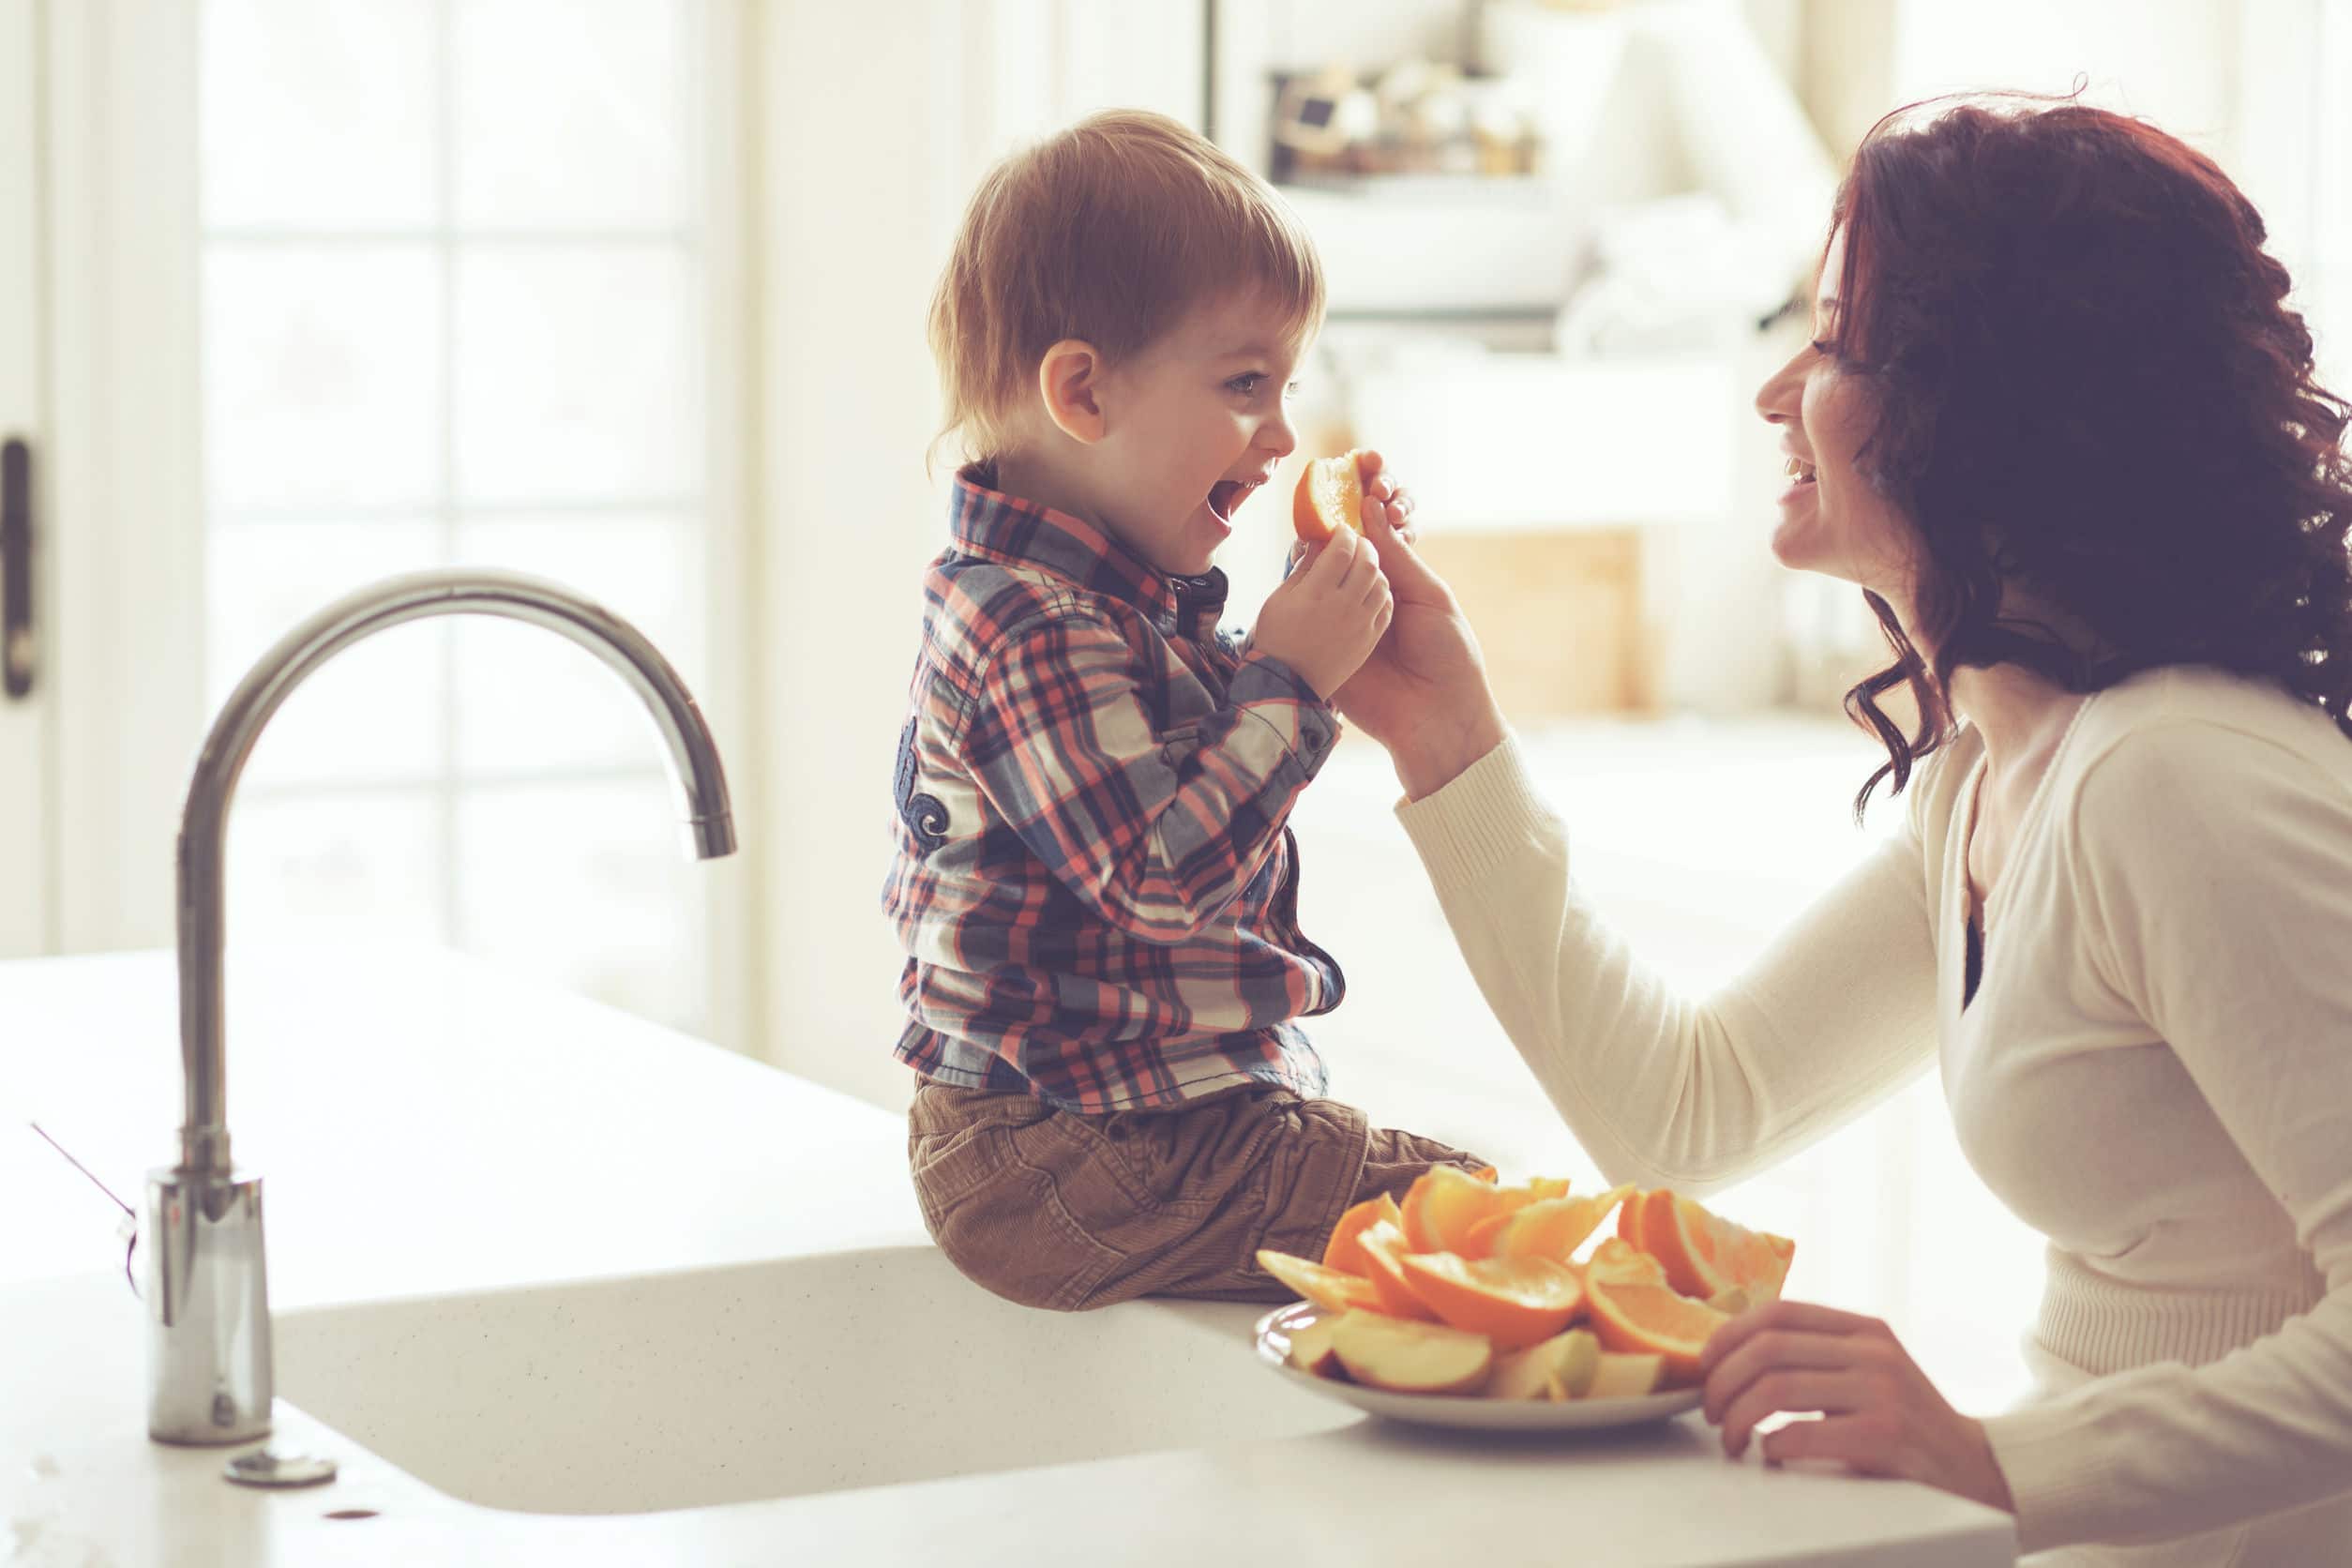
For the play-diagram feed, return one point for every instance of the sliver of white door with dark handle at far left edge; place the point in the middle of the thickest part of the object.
(27, 753)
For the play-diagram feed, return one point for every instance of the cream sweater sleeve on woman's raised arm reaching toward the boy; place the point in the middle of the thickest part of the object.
(1662, 1090)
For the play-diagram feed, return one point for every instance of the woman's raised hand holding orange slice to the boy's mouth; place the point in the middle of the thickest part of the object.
(1424, 688)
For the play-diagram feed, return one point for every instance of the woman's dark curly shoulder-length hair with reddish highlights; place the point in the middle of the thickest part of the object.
(2087, 387)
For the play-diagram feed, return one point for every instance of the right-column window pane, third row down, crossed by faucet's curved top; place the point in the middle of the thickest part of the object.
(530, 699)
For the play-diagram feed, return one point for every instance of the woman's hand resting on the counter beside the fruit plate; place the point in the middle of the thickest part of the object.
(1880, 1414)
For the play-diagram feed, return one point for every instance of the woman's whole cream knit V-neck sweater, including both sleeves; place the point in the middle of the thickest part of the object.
(2156, 1073)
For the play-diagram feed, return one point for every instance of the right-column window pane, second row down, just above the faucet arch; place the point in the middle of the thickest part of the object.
(575, 375)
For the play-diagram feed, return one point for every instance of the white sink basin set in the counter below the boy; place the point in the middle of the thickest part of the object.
(770, 1381)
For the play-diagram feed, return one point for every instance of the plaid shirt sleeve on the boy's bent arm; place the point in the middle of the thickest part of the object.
(1154, 836)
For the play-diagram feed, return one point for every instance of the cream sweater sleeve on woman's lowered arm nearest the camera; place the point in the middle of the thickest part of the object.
(2217, 885)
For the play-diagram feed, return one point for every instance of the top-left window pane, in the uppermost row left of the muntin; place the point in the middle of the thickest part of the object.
(319, 114)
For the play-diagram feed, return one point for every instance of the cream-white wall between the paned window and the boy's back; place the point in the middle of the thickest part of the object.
(874, 123)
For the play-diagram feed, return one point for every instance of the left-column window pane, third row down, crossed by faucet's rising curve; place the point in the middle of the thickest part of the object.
(373, 711)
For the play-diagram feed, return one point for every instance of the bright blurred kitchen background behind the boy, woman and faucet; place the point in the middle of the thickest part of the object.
(632, 293)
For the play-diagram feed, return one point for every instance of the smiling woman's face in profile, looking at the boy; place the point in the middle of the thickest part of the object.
(1831, 521)
